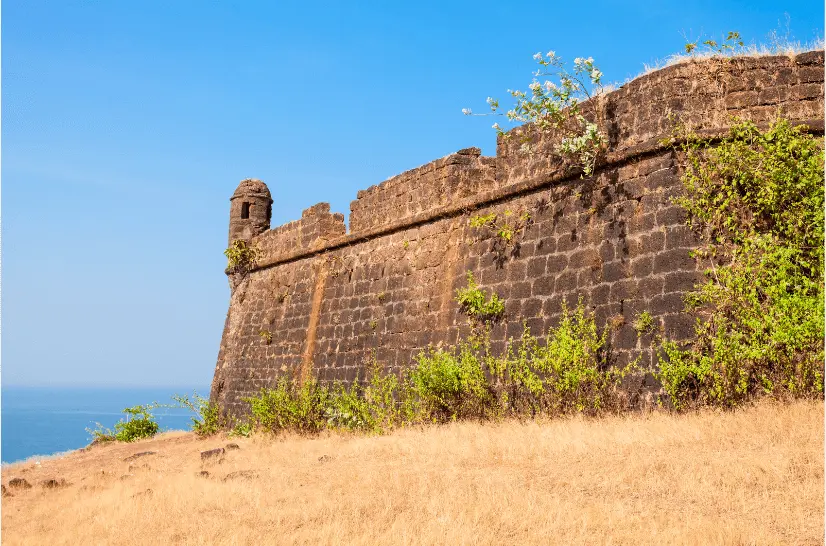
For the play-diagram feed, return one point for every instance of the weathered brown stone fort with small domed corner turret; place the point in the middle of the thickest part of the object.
(321, 300)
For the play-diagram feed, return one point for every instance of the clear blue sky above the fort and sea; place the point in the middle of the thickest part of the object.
(126, 126)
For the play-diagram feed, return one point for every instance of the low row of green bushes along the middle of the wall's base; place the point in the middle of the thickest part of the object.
(570, 372)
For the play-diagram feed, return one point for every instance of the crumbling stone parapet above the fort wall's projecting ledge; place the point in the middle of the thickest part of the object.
(704, 94)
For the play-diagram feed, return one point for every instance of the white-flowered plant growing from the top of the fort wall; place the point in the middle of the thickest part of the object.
(561, 104)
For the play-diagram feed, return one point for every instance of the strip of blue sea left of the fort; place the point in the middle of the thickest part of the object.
(43, 421)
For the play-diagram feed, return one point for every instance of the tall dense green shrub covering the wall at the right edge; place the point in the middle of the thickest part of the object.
(757, 202)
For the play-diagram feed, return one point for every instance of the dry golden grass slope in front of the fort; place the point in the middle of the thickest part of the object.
(749, 477)
